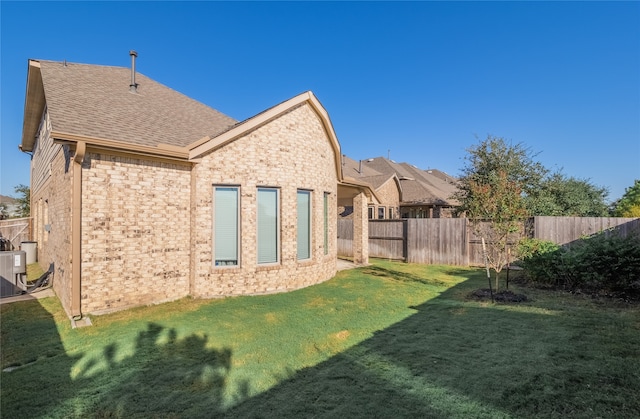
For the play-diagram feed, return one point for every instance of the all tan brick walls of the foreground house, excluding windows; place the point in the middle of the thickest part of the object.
(147, 223)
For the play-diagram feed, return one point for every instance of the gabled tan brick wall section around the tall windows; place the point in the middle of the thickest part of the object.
(289, 153)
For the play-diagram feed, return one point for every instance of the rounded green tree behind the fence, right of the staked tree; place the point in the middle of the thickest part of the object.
(559, 195)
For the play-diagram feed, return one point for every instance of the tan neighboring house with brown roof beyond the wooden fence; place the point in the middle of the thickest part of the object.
(421, 193)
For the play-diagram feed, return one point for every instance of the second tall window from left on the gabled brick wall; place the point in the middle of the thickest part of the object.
(268, 225)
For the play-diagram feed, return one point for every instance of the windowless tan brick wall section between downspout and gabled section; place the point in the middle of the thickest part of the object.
(135, 231)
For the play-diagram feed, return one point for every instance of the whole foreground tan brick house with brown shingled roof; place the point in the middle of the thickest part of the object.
(142, 195)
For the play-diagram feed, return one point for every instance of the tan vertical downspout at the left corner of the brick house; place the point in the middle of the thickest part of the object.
(76, 230)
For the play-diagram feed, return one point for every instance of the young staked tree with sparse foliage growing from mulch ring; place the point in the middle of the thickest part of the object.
(493, 186)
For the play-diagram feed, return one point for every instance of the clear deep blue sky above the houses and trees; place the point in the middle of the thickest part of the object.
(419, 82)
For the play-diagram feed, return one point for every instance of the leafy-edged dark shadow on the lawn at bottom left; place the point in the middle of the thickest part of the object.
(169, 376)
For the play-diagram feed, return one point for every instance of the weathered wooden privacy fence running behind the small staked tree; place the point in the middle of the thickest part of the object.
(452, 241)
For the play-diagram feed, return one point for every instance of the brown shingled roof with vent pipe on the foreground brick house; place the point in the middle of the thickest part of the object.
(92, 101)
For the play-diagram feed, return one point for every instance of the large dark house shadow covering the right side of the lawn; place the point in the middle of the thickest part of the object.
(455, 358)
